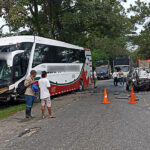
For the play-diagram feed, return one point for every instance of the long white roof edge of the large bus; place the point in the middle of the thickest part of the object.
(29, 38)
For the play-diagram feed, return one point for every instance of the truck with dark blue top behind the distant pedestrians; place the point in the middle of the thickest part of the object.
(123, 64)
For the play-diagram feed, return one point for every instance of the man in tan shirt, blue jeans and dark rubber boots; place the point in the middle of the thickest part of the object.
(29, 93)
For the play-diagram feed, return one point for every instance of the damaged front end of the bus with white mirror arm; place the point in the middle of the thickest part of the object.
(14, 61)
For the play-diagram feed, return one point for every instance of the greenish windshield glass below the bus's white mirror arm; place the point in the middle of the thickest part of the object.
(5, 71)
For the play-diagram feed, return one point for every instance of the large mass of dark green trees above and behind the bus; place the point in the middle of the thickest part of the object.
(98, 25)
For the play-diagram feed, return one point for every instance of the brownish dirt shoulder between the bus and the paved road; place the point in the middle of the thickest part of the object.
(13, 124)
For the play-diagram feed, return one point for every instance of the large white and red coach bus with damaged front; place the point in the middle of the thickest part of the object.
(69, 67)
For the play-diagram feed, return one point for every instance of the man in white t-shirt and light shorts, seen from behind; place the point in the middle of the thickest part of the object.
(44, 85)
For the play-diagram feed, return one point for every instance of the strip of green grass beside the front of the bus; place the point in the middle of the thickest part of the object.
(6, 112)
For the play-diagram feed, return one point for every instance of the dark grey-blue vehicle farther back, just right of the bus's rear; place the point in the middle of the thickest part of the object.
(103, 72)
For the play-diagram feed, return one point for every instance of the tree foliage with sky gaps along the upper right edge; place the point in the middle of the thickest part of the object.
(142, 13)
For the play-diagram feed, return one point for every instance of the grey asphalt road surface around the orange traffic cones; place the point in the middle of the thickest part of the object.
(86, 124)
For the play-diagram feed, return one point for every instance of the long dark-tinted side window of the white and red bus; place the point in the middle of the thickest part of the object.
(55, 54)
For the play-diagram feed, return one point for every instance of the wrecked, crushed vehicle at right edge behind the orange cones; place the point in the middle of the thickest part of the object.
(139, 79)
